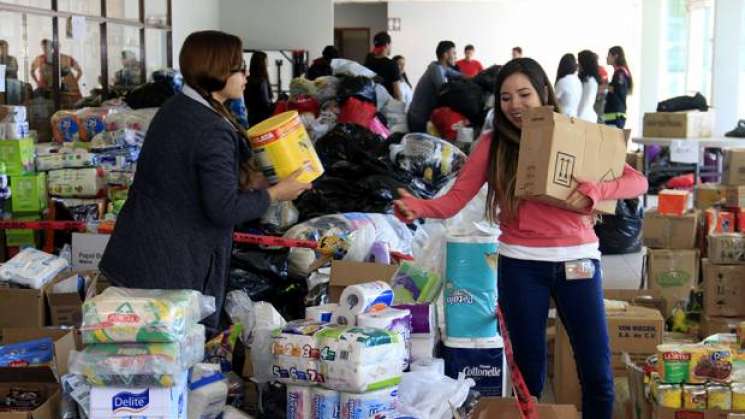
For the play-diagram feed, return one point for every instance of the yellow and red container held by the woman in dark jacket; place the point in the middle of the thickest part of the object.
(282, 146)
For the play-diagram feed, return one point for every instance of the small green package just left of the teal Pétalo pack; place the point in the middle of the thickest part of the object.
(414, 285)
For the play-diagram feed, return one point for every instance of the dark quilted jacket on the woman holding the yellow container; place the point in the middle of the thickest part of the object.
(175, 230)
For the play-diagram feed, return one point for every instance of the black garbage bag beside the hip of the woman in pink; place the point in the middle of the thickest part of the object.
(622, 233)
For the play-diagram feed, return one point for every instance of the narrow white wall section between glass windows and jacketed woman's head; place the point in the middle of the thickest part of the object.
(188, 17)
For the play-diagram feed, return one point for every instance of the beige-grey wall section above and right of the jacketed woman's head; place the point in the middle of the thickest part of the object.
(280, 24)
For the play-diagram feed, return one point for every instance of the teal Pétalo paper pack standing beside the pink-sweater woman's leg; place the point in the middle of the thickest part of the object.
(471, 287)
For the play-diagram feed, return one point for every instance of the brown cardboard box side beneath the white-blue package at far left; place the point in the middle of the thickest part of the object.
(23, 307)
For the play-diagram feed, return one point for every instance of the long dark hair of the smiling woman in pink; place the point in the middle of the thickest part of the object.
(505, 145)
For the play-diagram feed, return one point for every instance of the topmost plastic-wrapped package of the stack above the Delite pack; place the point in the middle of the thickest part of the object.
(124, 315)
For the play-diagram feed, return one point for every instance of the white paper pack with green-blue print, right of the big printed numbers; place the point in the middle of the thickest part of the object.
(357, 360)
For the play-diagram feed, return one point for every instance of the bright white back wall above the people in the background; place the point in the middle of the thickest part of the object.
(544, 29)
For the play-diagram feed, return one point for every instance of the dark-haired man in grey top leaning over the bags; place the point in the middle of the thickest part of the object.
(425, 95)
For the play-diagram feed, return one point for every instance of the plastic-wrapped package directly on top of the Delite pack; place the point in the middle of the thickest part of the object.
(139, 364)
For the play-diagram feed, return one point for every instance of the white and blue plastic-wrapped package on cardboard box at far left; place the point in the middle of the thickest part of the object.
(32, 268)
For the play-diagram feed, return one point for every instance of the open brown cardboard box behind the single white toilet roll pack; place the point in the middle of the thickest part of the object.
(344, 274)
